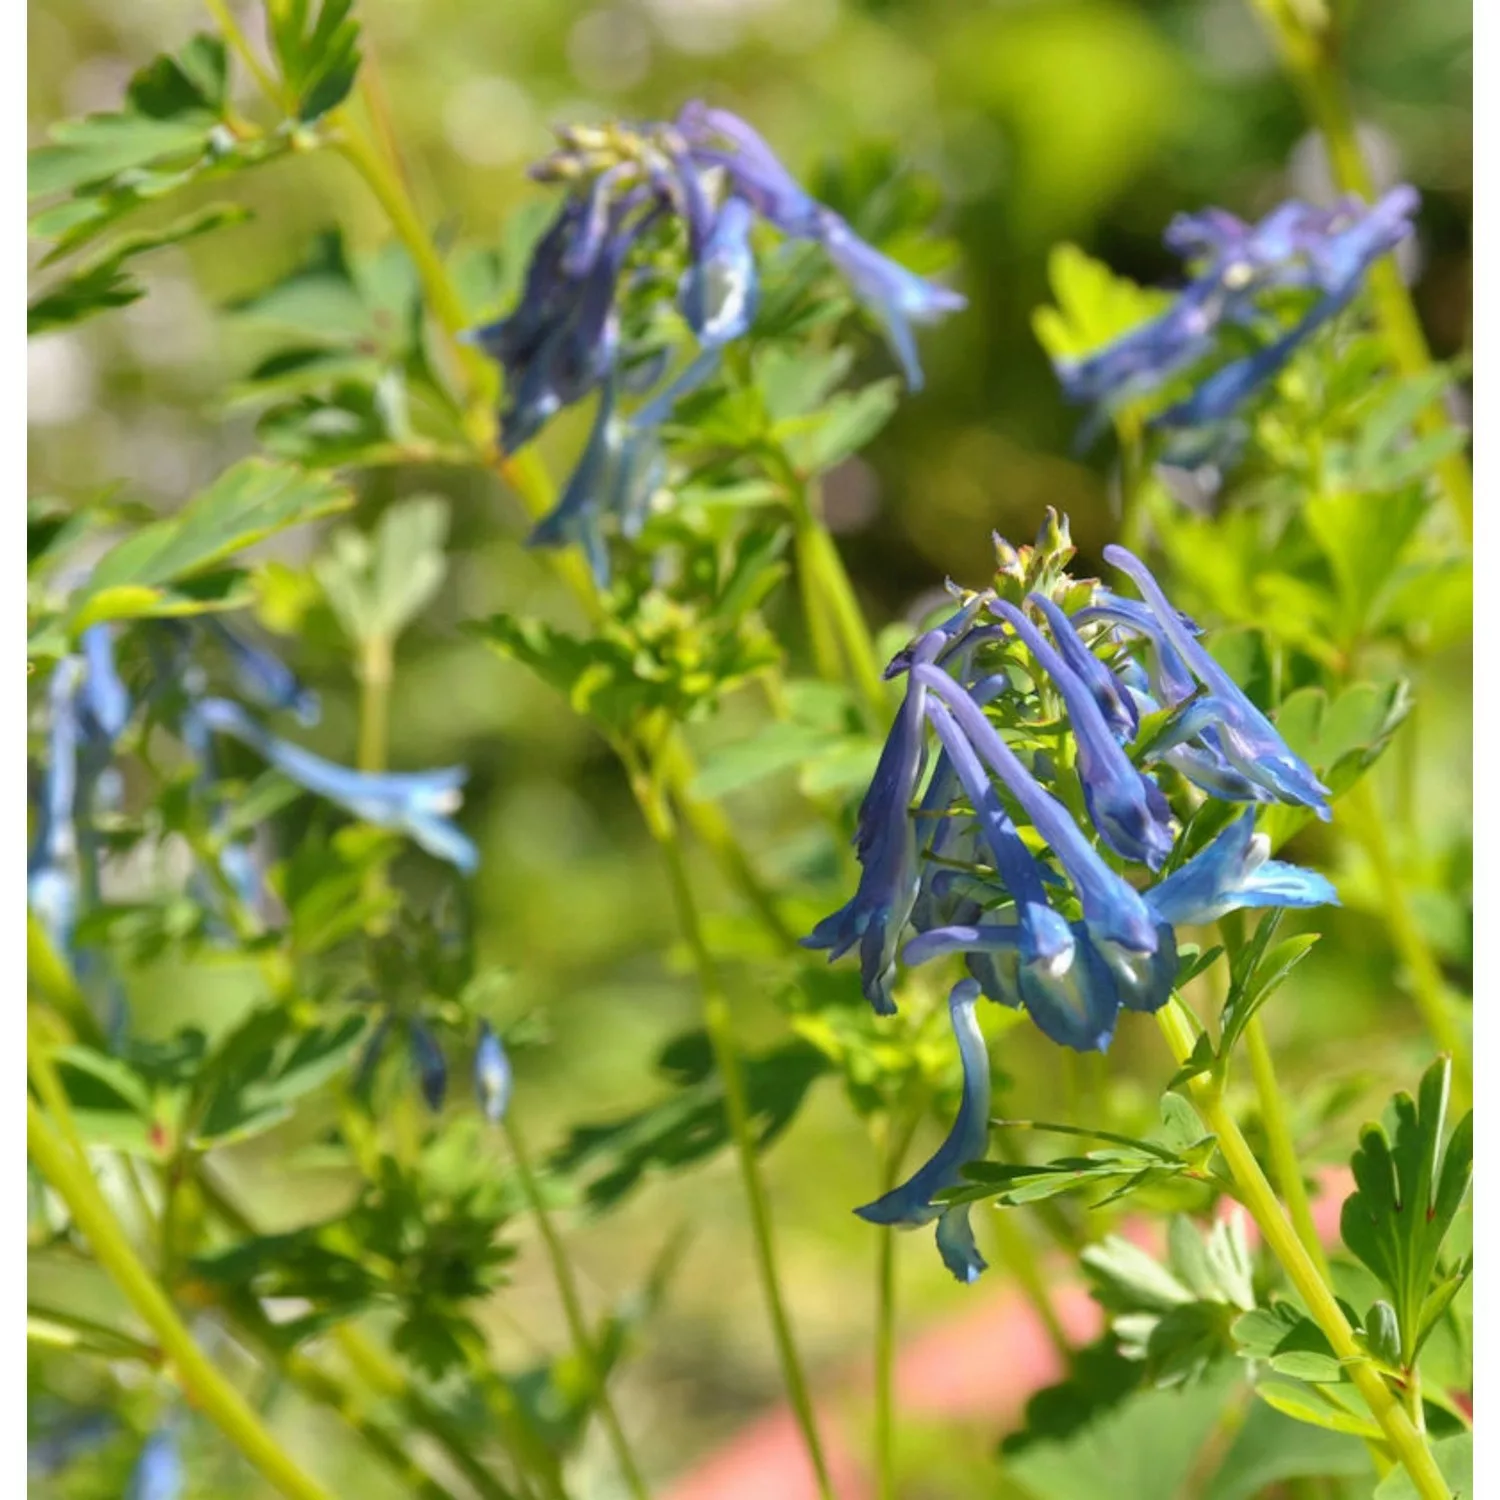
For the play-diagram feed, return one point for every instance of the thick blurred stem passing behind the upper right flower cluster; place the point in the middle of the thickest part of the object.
(1310, 61)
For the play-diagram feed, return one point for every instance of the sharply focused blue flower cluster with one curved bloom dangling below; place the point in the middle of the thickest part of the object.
(1007, 847)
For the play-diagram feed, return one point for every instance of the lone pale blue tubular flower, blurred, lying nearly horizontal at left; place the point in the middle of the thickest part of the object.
(413, 803)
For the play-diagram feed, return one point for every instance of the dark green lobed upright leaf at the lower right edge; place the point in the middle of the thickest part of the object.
(1408, 1195)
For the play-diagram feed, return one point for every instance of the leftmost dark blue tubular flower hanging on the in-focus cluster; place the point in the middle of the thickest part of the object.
(889, 871)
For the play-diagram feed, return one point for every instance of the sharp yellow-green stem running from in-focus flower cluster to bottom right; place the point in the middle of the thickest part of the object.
(1261, 1201)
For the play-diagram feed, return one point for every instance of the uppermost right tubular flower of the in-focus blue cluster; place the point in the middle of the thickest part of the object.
(1247, 739)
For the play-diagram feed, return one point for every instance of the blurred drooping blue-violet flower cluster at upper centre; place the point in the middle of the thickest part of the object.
(707, 179)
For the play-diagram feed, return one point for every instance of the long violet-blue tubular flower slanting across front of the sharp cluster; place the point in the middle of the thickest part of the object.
(1112, 910)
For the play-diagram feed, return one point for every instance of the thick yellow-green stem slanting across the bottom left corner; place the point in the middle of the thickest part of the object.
(199, 1378)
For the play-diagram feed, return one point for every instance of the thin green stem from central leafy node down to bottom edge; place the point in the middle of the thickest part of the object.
(737, 1112)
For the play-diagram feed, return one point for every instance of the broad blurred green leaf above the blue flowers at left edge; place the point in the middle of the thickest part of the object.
(247, 505)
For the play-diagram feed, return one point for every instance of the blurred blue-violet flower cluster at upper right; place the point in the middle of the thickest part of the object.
(1241, 274)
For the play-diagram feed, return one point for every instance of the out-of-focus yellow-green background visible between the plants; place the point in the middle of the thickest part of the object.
(1039, 121)
